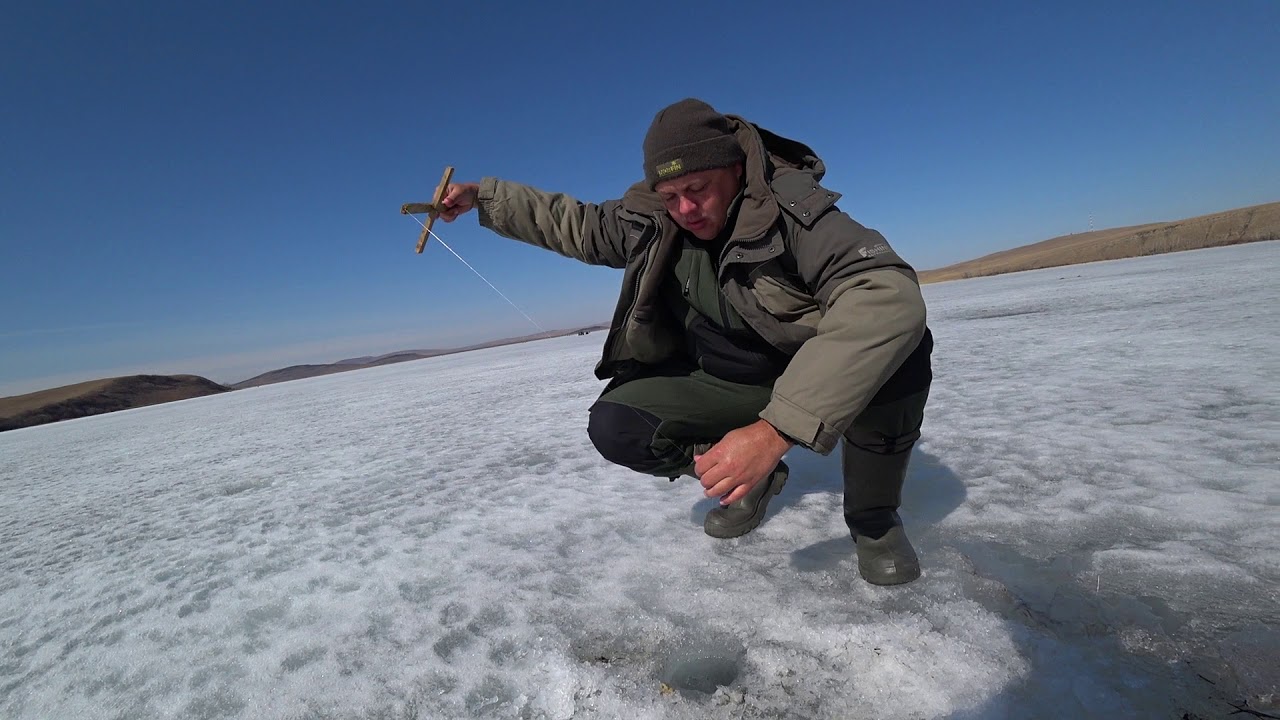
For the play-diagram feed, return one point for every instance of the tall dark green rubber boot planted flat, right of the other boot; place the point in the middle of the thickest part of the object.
(874, 491)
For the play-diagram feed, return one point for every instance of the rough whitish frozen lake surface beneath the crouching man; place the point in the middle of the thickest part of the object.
(1094, 500)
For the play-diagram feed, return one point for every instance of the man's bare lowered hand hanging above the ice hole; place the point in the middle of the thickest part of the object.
(740, 461)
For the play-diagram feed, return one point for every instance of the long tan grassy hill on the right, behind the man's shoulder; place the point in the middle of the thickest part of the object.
(1232, 227)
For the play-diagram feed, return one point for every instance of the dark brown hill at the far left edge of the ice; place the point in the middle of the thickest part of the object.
(100, 397)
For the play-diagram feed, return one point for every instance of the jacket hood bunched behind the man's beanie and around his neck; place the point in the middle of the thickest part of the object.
(769, 156)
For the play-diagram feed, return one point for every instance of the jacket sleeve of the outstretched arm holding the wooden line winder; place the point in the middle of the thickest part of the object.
(587, 233)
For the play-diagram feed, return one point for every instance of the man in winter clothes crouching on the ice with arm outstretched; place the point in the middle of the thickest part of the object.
(755, 317)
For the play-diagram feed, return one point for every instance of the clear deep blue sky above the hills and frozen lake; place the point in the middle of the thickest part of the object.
(214, 188)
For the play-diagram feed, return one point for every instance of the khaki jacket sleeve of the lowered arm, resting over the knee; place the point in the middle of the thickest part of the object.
(874, 318)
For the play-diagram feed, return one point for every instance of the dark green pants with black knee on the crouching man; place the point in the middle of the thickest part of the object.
(651, 423)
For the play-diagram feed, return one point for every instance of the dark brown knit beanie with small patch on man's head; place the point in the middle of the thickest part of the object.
(687, 138)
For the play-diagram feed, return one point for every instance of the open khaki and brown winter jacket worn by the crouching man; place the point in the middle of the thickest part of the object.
(806, 276)
